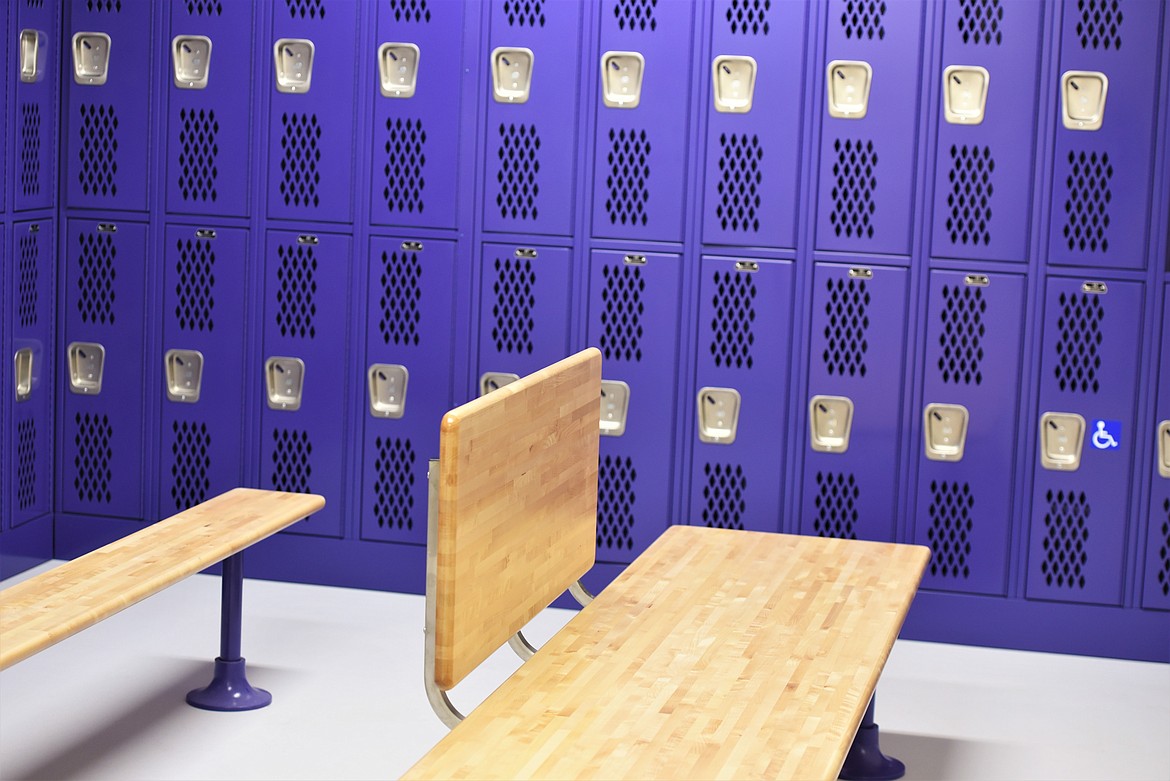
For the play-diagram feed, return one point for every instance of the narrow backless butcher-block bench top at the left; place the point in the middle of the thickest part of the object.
(43, 611)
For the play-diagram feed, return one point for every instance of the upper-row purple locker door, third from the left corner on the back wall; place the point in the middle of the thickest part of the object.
(311, 134)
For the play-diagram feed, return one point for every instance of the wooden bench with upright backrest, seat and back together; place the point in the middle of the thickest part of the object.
(717, 654)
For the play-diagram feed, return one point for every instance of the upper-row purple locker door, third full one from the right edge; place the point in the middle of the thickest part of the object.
(868, 165)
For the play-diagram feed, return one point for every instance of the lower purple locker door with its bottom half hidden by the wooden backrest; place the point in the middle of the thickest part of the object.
(525, 300)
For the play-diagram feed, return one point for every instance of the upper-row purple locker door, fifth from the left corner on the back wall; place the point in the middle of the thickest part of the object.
(532, 147)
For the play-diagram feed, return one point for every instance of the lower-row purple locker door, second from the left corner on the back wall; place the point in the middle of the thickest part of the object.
(204, 284)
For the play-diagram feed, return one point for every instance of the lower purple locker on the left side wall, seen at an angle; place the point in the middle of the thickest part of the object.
(31, 324)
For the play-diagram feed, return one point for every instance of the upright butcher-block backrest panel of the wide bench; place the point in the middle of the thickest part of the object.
(518, 508)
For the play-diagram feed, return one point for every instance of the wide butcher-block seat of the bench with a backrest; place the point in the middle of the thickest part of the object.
(717, 655)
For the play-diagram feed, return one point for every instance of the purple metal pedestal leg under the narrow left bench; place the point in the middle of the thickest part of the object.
(230, 689)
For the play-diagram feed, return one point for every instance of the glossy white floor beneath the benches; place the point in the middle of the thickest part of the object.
(346, 671)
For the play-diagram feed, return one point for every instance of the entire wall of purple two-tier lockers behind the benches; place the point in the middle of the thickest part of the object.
(816, 320)
